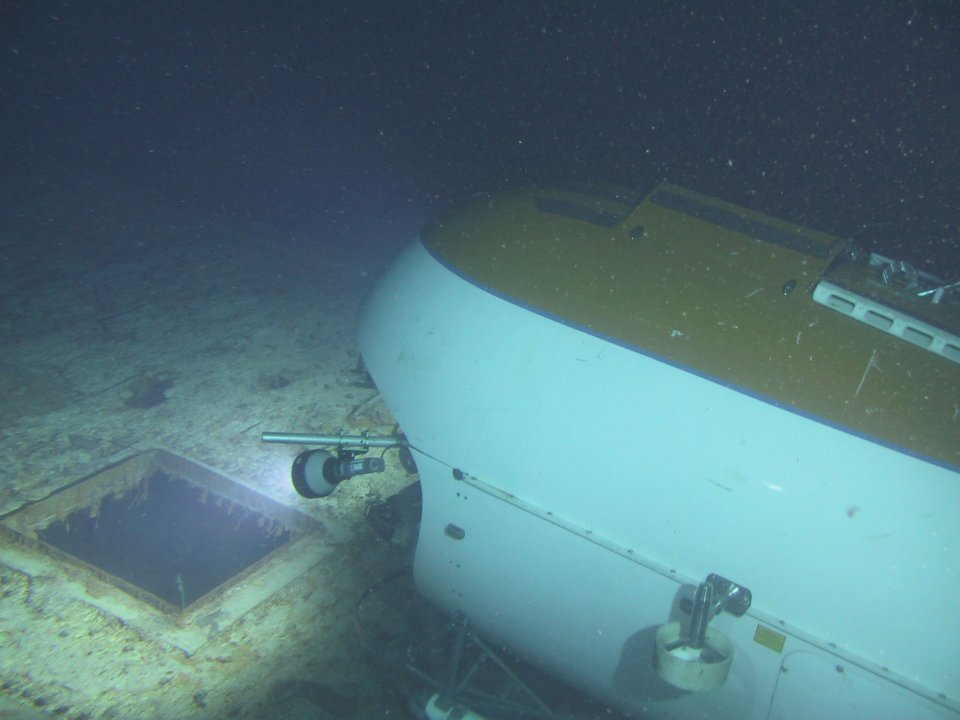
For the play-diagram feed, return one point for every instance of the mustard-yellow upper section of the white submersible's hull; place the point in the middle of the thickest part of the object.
(792, 316)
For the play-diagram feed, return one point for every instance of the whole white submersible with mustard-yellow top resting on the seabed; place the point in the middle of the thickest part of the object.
(697, 461)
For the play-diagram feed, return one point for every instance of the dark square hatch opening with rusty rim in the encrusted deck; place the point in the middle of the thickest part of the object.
(162, 528)
